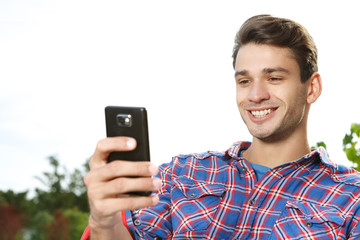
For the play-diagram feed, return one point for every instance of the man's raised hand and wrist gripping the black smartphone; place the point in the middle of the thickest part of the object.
(108, 183)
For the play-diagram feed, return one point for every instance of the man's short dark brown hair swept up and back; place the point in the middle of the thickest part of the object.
(281, 32)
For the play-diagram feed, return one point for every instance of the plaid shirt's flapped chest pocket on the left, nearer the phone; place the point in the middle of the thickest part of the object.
(194, 204)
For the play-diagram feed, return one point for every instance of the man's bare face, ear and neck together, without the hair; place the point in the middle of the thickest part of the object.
(274, 102)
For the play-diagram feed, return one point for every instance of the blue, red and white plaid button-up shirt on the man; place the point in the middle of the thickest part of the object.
(216, 196)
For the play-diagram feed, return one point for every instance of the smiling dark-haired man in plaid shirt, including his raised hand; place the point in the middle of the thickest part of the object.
(272, 188)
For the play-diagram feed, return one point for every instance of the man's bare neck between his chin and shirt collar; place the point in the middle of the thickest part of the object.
(272, 154)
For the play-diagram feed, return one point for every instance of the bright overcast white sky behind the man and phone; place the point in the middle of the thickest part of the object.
(62, 62)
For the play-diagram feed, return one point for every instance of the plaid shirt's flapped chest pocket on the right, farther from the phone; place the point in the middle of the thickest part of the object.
(301, 220)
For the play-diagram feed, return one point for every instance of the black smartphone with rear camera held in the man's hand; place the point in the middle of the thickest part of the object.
(131, 122)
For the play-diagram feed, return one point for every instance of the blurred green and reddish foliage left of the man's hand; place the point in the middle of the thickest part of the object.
(58, 211)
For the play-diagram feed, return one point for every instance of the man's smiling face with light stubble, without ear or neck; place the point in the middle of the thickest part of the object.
(270, 96)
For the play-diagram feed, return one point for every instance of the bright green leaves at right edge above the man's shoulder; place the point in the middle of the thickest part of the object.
(350, 146)
